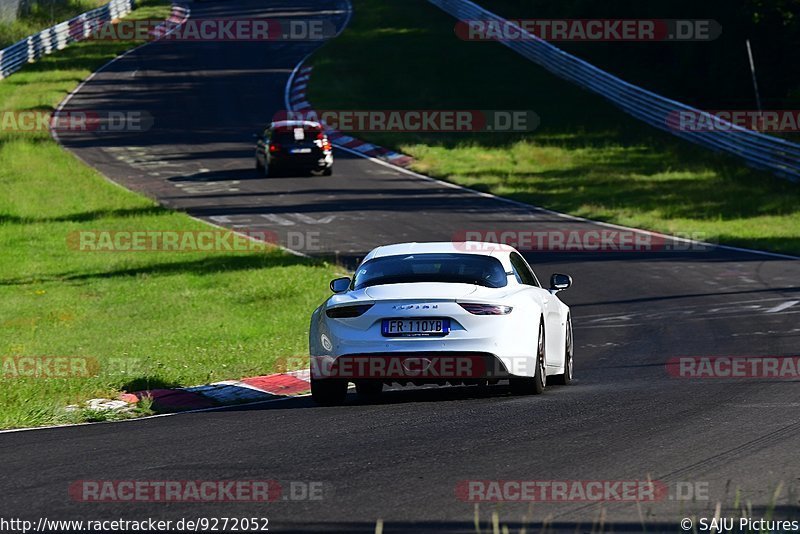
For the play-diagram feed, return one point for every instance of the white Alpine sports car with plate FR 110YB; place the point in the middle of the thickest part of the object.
(442, 313)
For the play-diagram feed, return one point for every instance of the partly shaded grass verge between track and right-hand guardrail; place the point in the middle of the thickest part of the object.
(587, 158)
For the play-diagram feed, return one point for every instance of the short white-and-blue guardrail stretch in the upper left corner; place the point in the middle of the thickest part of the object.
(60, 36)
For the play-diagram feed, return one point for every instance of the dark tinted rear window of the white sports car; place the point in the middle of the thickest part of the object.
(449, 268)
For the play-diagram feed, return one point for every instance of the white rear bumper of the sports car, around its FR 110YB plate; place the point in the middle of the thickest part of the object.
(477, 348)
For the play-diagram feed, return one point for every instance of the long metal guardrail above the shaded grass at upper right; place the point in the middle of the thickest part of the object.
(759, 150)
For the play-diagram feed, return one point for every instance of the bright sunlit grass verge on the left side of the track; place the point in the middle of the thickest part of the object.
(143, 319)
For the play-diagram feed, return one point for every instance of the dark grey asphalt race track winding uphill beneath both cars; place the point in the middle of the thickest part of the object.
(400, 460)
